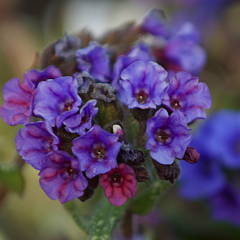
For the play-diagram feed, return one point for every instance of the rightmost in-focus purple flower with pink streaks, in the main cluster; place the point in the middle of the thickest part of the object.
(187, 95)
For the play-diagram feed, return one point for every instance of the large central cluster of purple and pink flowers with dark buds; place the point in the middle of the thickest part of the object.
(78, 111)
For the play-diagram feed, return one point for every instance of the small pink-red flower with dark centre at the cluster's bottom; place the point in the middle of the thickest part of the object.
(119, 184)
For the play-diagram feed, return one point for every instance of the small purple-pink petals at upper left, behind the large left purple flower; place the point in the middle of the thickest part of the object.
(36, 76)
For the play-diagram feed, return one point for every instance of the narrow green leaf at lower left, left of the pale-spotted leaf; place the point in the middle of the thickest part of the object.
(75, 210)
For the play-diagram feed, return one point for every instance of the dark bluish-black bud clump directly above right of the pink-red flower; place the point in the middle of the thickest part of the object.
(130, 155)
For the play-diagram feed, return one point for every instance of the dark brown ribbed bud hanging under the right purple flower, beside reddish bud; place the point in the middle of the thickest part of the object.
(167, 172)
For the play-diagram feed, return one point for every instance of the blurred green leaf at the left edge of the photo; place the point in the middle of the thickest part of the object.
(11, 178)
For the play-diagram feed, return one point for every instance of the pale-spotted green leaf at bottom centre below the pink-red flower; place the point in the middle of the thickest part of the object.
(104, 220)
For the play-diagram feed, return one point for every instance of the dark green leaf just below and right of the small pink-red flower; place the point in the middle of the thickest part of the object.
(146, 199)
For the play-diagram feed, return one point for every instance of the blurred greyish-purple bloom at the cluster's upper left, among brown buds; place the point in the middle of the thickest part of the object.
(66, 47)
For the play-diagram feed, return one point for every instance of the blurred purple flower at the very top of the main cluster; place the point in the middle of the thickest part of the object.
(155, 23)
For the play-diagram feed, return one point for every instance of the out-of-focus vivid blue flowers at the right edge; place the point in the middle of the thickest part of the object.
(218, 141)
